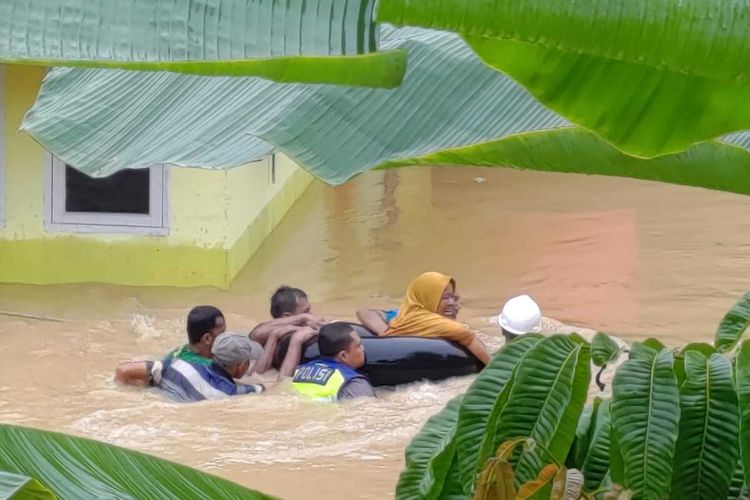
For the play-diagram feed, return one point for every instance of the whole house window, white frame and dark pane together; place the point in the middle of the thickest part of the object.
(128, 201)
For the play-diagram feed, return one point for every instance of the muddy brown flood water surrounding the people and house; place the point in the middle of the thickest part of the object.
(628, 257)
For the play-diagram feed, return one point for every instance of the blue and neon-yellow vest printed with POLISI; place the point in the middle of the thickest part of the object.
(322, 379)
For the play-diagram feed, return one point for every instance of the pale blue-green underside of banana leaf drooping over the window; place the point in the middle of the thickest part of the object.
(101, 121)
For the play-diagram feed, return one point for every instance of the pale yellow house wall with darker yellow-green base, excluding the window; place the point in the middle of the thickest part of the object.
(217, 218)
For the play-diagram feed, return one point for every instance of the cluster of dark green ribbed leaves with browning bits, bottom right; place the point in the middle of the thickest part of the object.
(676, 426)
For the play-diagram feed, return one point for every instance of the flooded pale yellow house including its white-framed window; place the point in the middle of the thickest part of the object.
(162, 225)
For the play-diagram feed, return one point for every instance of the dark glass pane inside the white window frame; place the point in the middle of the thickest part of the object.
(126, 192)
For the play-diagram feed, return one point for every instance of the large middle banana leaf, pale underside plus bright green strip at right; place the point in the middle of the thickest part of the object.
(450, 110)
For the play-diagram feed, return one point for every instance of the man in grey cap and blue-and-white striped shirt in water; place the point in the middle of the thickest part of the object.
(233, 355)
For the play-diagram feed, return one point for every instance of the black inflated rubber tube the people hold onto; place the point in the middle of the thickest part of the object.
(402, 360)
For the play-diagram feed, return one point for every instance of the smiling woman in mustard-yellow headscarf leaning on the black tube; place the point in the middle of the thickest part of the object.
(429, 309)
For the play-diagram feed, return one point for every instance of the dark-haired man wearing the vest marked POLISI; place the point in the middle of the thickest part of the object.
(334, 376)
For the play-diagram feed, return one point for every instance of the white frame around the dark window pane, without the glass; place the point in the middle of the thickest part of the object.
(56, 219)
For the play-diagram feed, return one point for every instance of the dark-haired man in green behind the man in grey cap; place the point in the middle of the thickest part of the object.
(204, 324)
